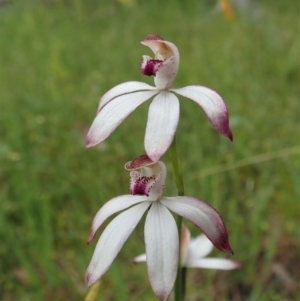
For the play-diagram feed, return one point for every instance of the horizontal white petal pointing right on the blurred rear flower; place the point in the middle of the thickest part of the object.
(212, 263)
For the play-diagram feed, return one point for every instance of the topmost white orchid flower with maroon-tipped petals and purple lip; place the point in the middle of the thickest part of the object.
(116, 104)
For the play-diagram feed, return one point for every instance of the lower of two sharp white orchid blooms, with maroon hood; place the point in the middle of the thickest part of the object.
(161, 235)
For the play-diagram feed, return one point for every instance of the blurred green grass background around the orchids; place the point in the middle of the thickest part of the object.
(58, 57)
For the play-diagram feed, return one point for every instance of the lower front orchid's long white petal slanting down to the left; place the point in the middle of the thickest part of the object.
(112, 240)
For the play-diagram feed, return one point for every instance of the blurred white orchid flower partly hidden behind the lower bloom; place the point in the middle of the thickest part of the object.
(194, 251)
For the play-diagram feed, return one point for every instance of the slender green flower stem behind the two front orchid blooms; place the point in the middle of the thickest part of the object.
(178, 178)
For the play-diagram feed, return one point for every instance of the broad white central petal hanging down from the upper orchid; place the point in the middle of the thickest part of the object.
(162, 122)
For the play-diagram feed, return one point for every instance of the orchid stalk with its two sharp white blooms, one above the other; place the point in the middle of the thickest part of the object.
(161, 234)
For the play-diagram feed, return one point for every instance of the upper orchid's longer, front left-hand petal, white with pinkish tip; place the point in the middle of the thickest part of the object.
(113, 114)
